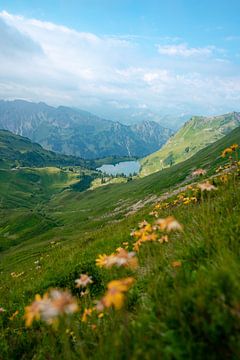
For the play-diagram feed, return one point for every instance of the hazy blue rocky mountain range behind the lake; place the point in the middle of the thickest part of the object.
(80, 133)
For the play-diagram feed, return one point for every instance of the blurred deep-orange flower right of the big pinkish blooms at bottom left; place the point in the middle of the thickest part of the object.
(115, 293)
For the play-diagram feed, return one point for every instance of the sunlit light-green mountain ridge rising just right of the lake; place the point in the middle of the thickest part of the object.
(194, 135)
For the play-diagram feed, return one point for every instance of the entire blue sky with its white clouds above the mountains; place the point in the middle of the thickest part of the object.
(123, 59)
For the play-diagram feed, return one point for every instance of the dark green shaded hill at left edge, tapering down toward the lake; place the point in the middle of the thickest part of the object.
(18, 151)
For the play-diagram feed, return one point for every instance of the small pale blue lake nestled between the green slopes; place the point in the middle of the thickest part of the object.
(125, 167)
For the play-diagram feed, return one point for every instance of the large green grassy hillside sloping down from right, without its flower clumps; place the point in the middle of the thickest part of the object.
(172, 312)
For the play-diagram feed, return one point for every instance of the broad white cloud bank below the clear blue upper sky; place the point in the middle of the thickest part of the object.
(44, 61)
